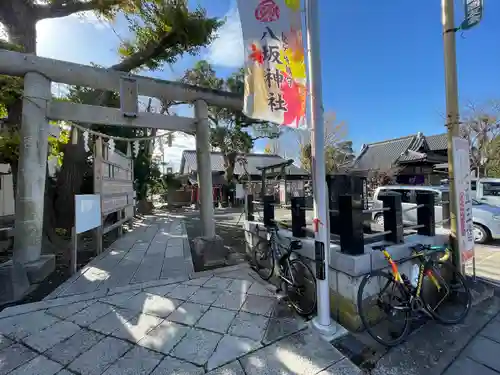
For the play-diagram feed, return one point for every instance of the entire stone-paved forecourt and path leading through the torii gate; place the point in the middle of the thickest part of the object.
(138, 309)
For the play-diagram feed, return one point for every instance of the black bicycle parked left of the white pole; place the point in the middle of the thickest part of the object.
(297, 279)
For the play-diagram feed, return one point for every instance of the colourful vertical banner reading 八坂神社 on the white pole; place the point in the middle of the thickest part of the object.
(275, 72)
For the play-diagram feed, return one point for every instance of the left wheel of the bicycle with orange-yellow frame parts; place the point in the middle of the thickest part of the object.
(386, 315)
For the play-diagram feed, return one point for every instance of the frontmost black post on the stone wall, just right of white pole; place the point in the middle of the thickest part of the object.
(351, 225)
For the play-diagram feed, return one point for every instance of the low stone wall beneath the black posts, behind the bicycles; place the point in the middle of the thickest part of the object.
(346, 271)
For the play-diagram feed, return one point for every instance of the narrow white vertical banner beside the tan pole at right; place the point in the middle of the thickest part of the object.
(463, 204)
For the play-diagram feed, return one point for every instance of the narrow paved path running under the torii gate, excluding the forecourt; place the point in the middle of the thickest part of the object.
(157, 248)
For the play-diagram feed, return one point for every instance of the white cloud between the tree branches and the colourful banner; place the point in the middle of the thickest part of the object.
(228, 49)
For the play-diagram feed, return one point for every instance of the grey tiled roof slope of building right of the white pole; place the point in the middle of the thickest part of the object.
(382, 155)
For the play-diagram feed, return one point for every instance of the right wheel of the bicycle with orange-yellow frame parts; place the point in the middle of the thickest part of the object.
(452, 302)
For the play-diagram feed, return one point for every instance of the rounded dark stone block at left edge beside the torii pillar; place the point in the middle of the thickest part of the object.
(14, 283)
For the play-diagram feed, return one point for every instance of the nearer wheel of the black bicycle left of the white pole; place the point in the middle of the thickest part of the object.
(302, 292)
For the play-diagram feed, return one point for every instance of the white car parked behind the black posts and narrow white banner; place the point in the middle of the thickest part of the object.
(486, 217)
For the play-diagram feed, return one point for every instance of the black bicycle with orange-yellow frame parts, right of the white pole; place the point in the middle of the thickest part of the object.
(438, 290)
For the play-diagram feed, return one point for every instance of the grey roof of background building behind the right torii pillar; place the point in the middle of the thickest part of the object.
(188, 163)
